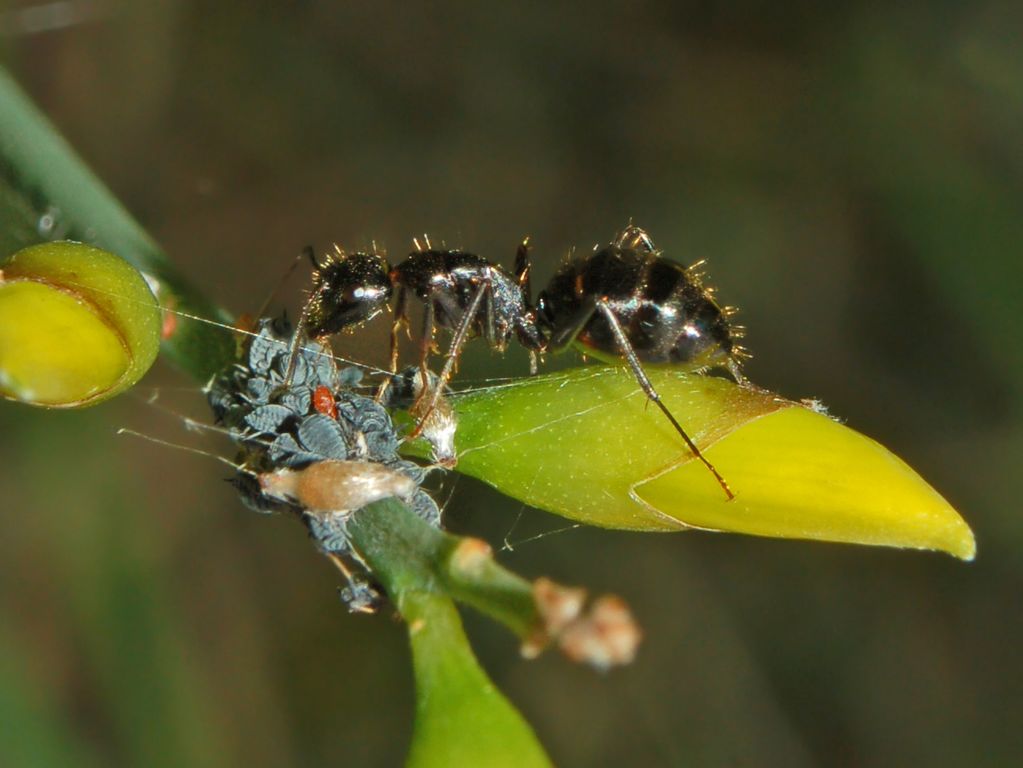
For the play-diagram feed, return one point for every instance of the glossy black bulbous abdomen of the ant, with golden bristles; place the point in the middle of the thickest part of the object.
(666, 313)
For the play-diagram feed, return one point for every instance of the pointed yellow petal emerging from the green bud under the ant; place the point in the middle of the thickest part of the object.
(799, 475)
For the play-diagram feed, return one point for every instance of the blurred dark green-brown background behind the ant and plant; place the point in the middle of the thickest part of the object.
(854, 173)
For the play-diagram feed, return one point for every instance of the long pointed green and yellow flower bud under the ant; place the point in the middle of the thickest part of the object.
(587, 445)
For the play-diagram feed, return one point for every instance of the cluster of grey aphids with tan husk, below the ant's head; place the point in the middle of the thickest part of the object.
(314, 448)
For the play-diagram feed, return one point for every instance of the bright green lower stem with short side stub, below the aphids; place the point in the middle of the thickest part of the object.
(461, 717)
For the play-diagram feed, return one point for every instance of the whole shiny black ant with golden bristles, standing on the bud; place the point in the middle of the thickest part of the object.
(622, 301)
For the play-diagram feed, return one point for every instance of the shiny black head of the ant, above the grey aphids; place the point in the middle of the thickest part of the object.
(348, 290)
